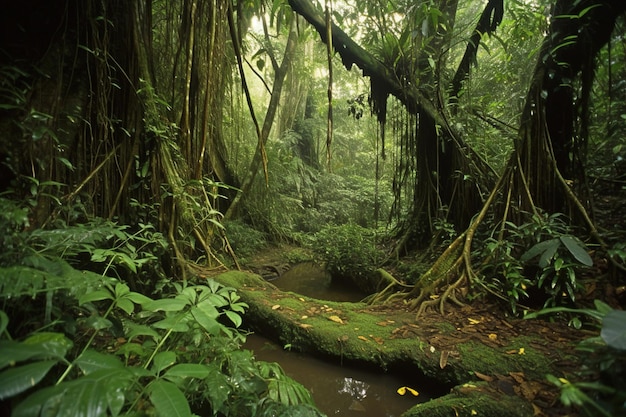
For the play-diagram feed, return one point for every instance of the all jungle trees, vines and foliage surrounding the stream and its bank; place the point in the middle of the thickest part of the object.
(431, 152)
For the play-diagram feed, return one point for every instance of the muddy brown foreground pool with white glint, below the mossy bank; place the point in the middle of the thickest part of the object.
(337, 390)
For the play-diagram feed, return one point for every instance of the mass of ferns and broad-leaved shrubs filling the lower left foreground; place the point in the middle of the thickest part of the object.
(77, 340)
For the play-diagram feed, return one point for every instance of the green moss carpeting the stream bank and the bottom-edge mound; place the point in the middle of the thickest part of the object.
(360, 333)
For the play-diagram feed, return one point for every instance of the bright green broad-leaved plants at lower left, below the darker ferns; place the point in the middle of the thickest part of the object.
(176, 354)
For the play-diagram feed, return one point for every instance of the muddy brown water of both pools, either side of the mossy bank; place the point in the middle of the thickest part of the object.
(337, 390)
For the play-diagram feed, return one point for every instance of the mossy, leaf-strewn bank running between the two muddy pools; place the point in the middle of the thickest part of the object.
(490, 363)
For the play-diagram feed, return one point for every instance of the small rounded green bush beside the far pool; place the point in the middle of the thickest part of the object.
(348, 251)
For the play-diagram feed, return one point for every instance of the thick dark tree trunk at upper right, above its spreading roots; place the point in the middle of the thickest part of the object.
(551, 144)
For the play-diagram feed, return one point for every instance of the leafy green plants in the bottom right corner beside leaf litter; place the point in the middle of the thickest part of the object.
(600, 388)
